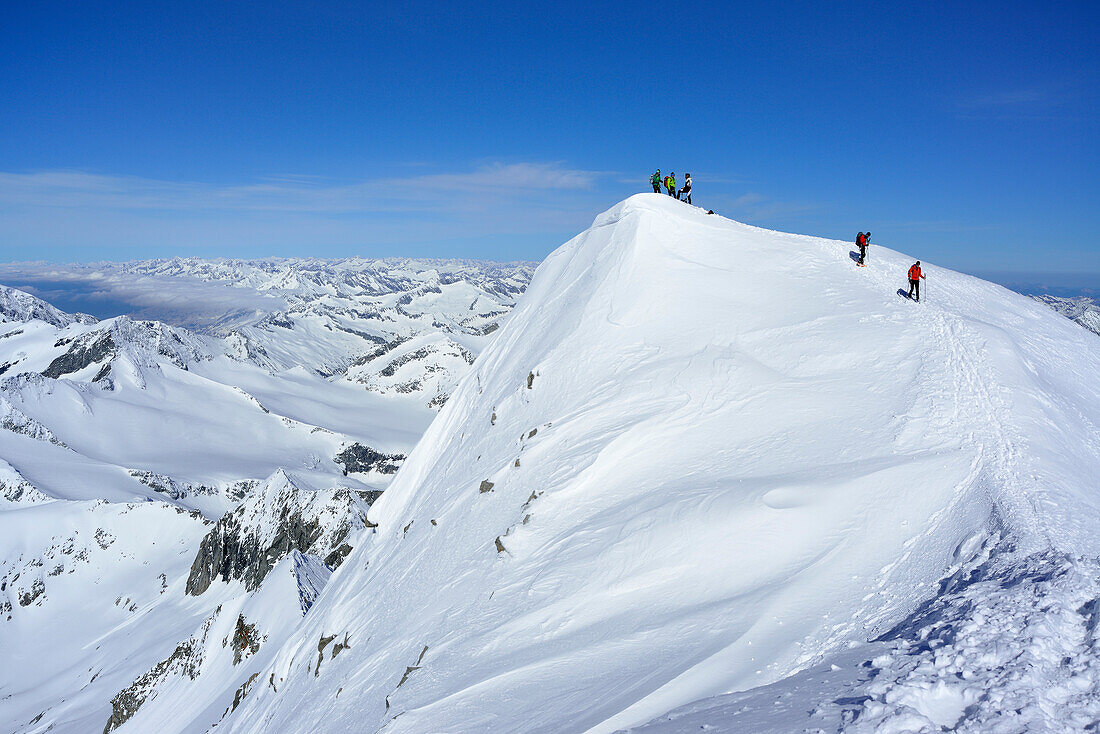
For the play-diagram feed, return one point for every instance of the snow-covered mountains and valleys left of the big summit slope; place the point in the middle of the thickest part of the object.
(159, 421)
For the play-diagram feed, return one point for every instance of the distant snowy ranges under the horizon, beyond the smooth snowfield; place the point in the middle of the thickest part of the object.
(326, 316)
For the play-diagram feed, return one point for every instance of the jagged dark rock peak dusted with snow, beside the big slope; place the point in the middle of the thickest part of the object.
(274, 521)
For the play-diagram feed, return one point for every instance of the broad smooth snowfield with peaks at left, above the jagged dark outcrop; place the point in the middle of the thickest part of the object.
(125, 410)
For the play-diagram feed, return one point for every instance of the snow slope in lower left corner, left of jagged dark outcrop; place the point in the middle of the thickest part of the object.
(120, 568)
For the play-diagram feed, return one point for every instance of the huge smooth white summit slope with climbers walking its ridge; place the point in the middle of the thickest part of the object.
(700, 458)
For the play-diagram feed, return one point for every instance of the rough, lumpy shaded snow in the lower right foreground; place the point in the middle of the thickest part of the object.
(1008, 644)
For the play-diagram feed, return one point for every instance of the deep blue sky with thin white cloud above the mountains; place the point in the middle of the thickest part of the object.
(967, 135)
